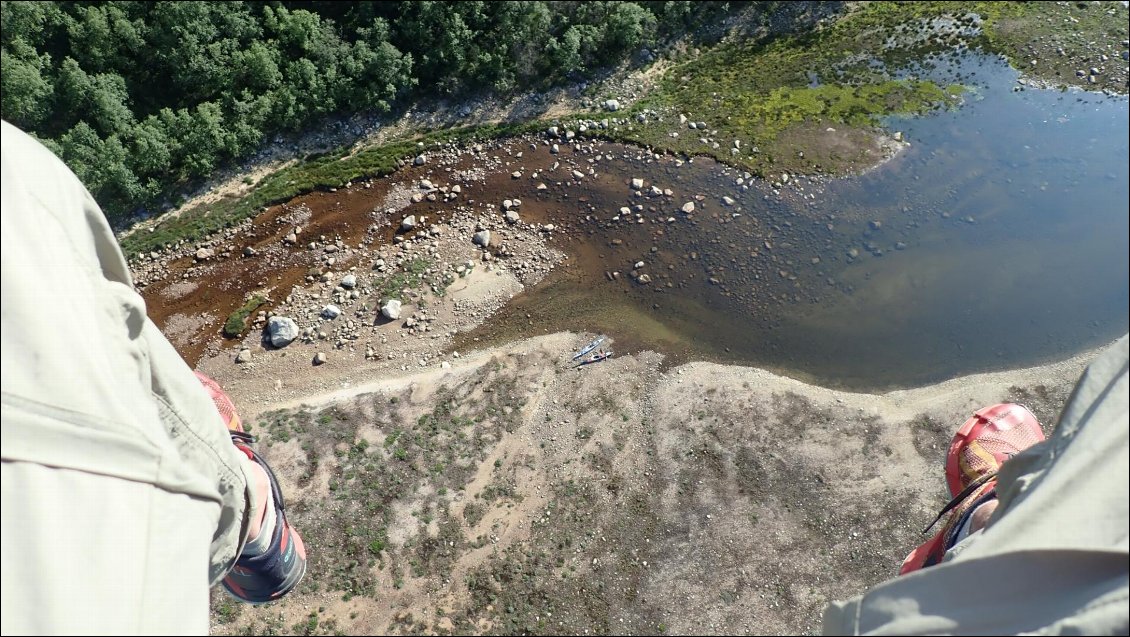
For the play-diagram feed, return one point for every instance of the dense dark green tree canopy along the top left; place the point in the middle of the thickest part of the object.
(142, 98)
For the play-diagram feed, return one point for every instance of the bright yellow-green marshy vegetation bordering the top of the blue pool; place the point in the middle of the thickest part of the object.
(777, 97)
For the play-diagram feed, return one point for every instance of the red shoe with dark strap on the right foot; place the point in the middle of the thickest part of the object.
(979, 449)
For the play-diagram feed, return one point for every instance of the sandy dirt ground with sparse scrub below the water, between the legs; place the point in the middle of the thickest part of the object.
(517, 493)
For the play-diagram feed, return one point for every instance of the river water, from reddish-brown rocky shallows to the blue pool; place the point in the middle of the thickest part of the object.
(997, 239)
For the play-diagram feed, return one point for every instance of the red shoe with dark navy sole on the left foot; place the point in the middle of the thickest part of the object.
(267, 577)
